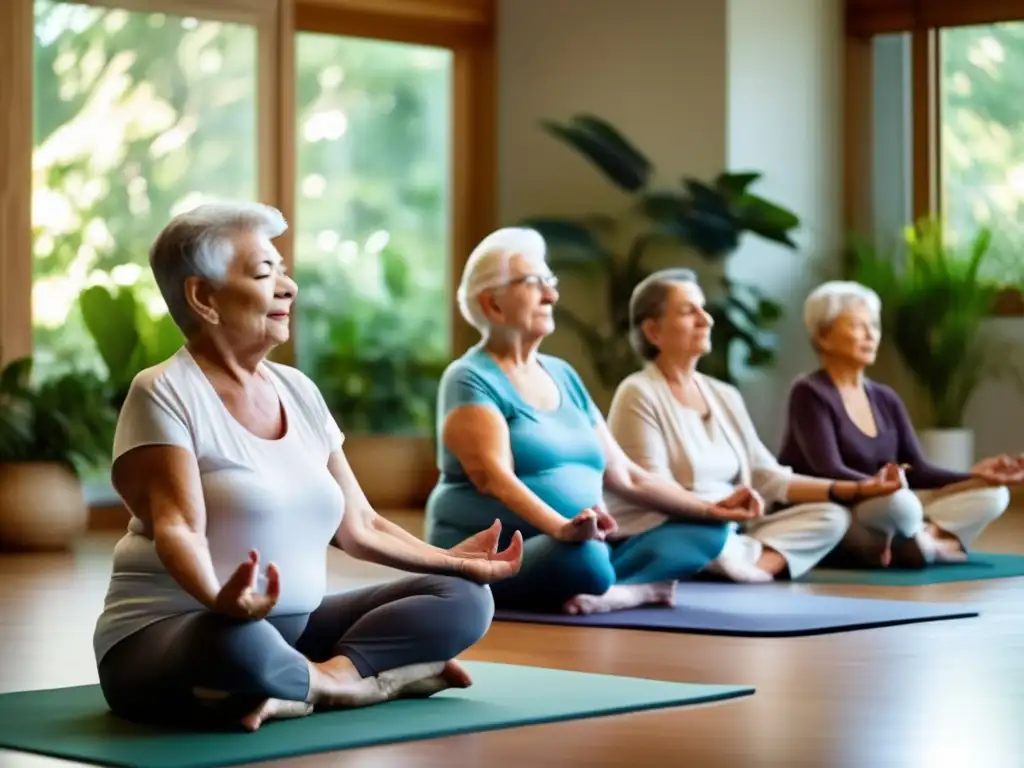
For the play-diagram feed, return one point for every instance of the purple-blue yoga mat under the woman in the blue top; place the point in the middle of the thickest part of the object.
(755, 611)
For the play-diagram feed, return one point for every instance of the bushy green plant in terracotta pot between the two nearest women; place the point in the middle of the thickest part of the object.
(377, 350)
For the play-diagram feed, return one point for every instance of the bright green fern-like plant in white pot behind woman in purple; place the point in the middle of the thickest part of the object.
(935, 300)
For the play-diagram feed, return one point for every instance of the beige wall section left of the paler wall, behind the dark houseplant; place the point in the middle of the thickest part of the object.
(656, 69)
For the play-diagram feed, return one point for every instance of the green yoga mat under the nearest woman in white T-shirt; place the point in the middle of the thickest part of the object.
(75, 723)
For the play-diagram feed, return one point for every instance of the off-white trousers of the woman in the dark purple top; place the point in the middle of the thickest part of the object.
(965, 515)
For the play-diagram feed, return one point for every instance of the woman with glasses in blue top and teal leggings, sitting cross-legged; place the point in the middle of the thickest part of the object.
(523, 443)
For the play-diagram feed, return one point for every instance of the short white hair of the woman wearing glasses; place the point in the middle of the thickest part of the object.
(488, 267)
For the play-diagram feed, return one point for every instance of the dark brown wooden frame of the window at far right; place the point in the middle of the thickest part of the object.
(926, 147)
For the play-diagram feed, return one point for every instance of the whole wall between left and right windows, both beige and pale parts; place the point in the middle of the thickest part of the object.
(701, 86)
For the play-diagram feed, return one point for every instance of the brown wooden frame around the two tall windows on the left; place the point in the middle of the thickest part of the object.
(465, 27)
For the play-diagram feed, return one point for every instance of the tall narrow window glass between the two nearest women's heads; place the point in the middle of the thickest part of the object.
(372, 222)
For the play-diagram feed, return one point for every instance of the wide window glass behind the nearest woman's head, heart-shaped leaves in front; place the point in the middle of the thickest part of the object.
(138, 117)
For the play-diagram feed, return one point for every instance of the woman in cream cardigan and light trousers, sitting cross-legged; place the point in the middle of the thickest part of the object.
(697, 432)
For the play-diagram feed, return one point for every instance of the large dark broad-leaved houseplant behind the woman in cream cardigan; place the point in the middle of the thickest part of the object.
(709, 219)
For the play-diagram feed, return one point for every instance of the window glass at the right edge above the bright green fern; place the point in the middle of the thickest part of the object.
(982, 138)
